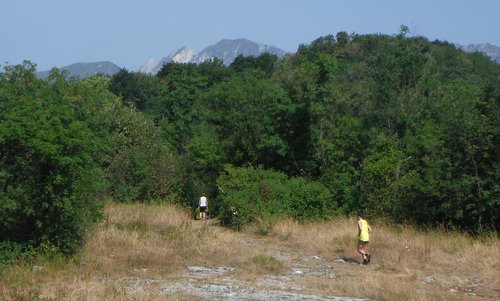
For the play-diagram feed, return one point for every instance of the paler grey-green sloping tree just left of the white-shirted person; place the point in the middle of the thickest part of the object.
(142, 165)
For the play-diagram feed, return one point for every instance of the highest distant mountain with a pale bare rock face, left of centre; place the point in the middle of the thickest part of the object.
(226, 50)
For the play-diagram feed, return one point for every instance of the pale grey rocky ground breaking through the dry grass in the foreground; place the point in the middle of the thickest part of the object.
(227, 283)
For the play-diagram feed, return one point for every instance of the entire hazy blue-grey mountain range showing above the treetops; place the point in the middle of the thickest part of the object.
(227, 50)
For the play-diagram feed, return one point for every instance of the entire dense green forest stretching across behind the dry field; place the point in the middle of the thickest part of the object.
(401, 127)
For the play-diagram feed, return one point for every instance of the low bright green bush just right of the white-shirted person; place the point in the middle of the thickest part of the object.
(250, 194)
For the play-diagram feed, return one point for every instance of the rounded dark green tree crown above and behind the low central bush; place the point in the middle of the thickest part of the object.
(250, 116)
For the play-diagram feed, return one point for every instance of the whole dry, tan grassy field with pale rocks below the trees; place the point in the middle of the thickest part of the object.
(158, 252)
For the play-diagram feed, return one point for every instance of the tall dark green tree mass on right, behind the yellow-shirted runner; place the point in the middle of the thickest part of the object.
(397, 125)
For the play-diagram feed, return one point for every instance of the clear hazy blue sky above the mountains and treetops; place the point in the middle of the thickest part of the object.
(61, 32)
